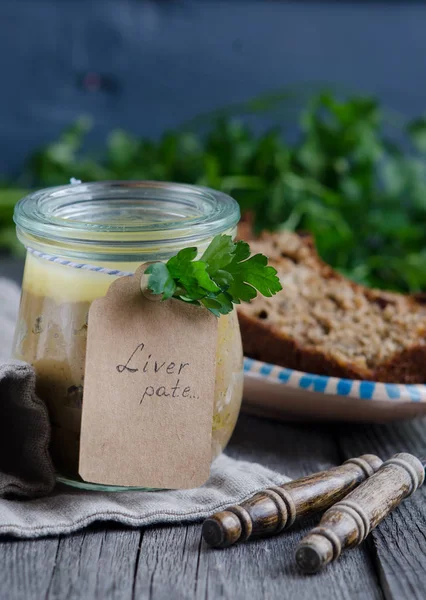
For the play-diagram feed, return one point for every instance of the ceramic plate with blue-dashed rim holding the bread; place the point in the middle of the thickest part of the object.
(281, 393)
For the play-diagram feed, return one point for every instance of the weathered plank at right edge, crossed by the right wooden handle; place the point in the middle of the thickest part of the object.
(400, 540)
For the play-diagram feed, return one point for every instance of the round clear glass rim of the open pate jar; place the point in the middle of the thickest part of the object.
(126, 219)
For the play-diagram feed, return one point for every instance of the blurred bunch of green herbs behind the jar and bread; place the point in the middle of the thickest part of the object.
(354, 176)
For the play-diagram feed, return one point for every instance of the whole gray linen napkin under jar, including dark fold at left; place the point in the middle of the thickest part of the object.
(66, 509)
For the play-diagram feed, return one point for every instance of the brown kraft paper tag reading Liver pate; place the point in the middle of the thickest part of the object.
(148, 390)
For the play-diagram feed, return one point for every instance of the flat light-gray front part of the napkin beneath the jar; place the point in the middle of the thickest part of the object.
(67, 509)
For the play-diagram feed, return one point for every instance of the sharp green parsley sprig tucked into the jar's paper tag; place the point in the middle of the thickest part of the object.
(225, 275)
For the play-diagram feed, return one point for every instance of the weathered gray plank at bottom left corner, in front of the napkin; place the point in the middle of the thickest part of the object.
(97, 563)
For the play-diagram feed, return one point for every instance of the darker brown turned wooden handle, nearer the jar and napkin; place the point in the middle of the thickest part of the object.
(276, 508)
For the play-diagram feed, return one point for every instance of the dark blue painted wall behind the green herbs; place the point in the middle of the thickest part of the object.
(147, 65)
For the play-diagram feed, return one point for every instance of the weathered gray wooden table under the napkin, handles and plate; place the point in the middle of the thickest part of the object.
(173, 562)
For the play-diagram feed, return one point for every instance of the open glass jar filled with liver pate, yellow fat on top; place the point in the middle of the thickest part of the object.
(80, 238)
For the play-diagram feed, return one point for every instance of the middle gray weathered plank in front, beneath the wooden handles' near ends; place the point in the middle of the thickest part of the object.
(174, 563)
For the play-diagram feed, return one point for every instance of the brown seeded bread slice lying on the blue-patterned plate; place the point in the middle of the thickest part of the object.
(323, 323)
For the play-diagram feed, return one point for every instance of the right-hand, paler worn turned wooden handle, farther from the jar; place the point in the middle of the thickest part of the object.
(347, 523)
